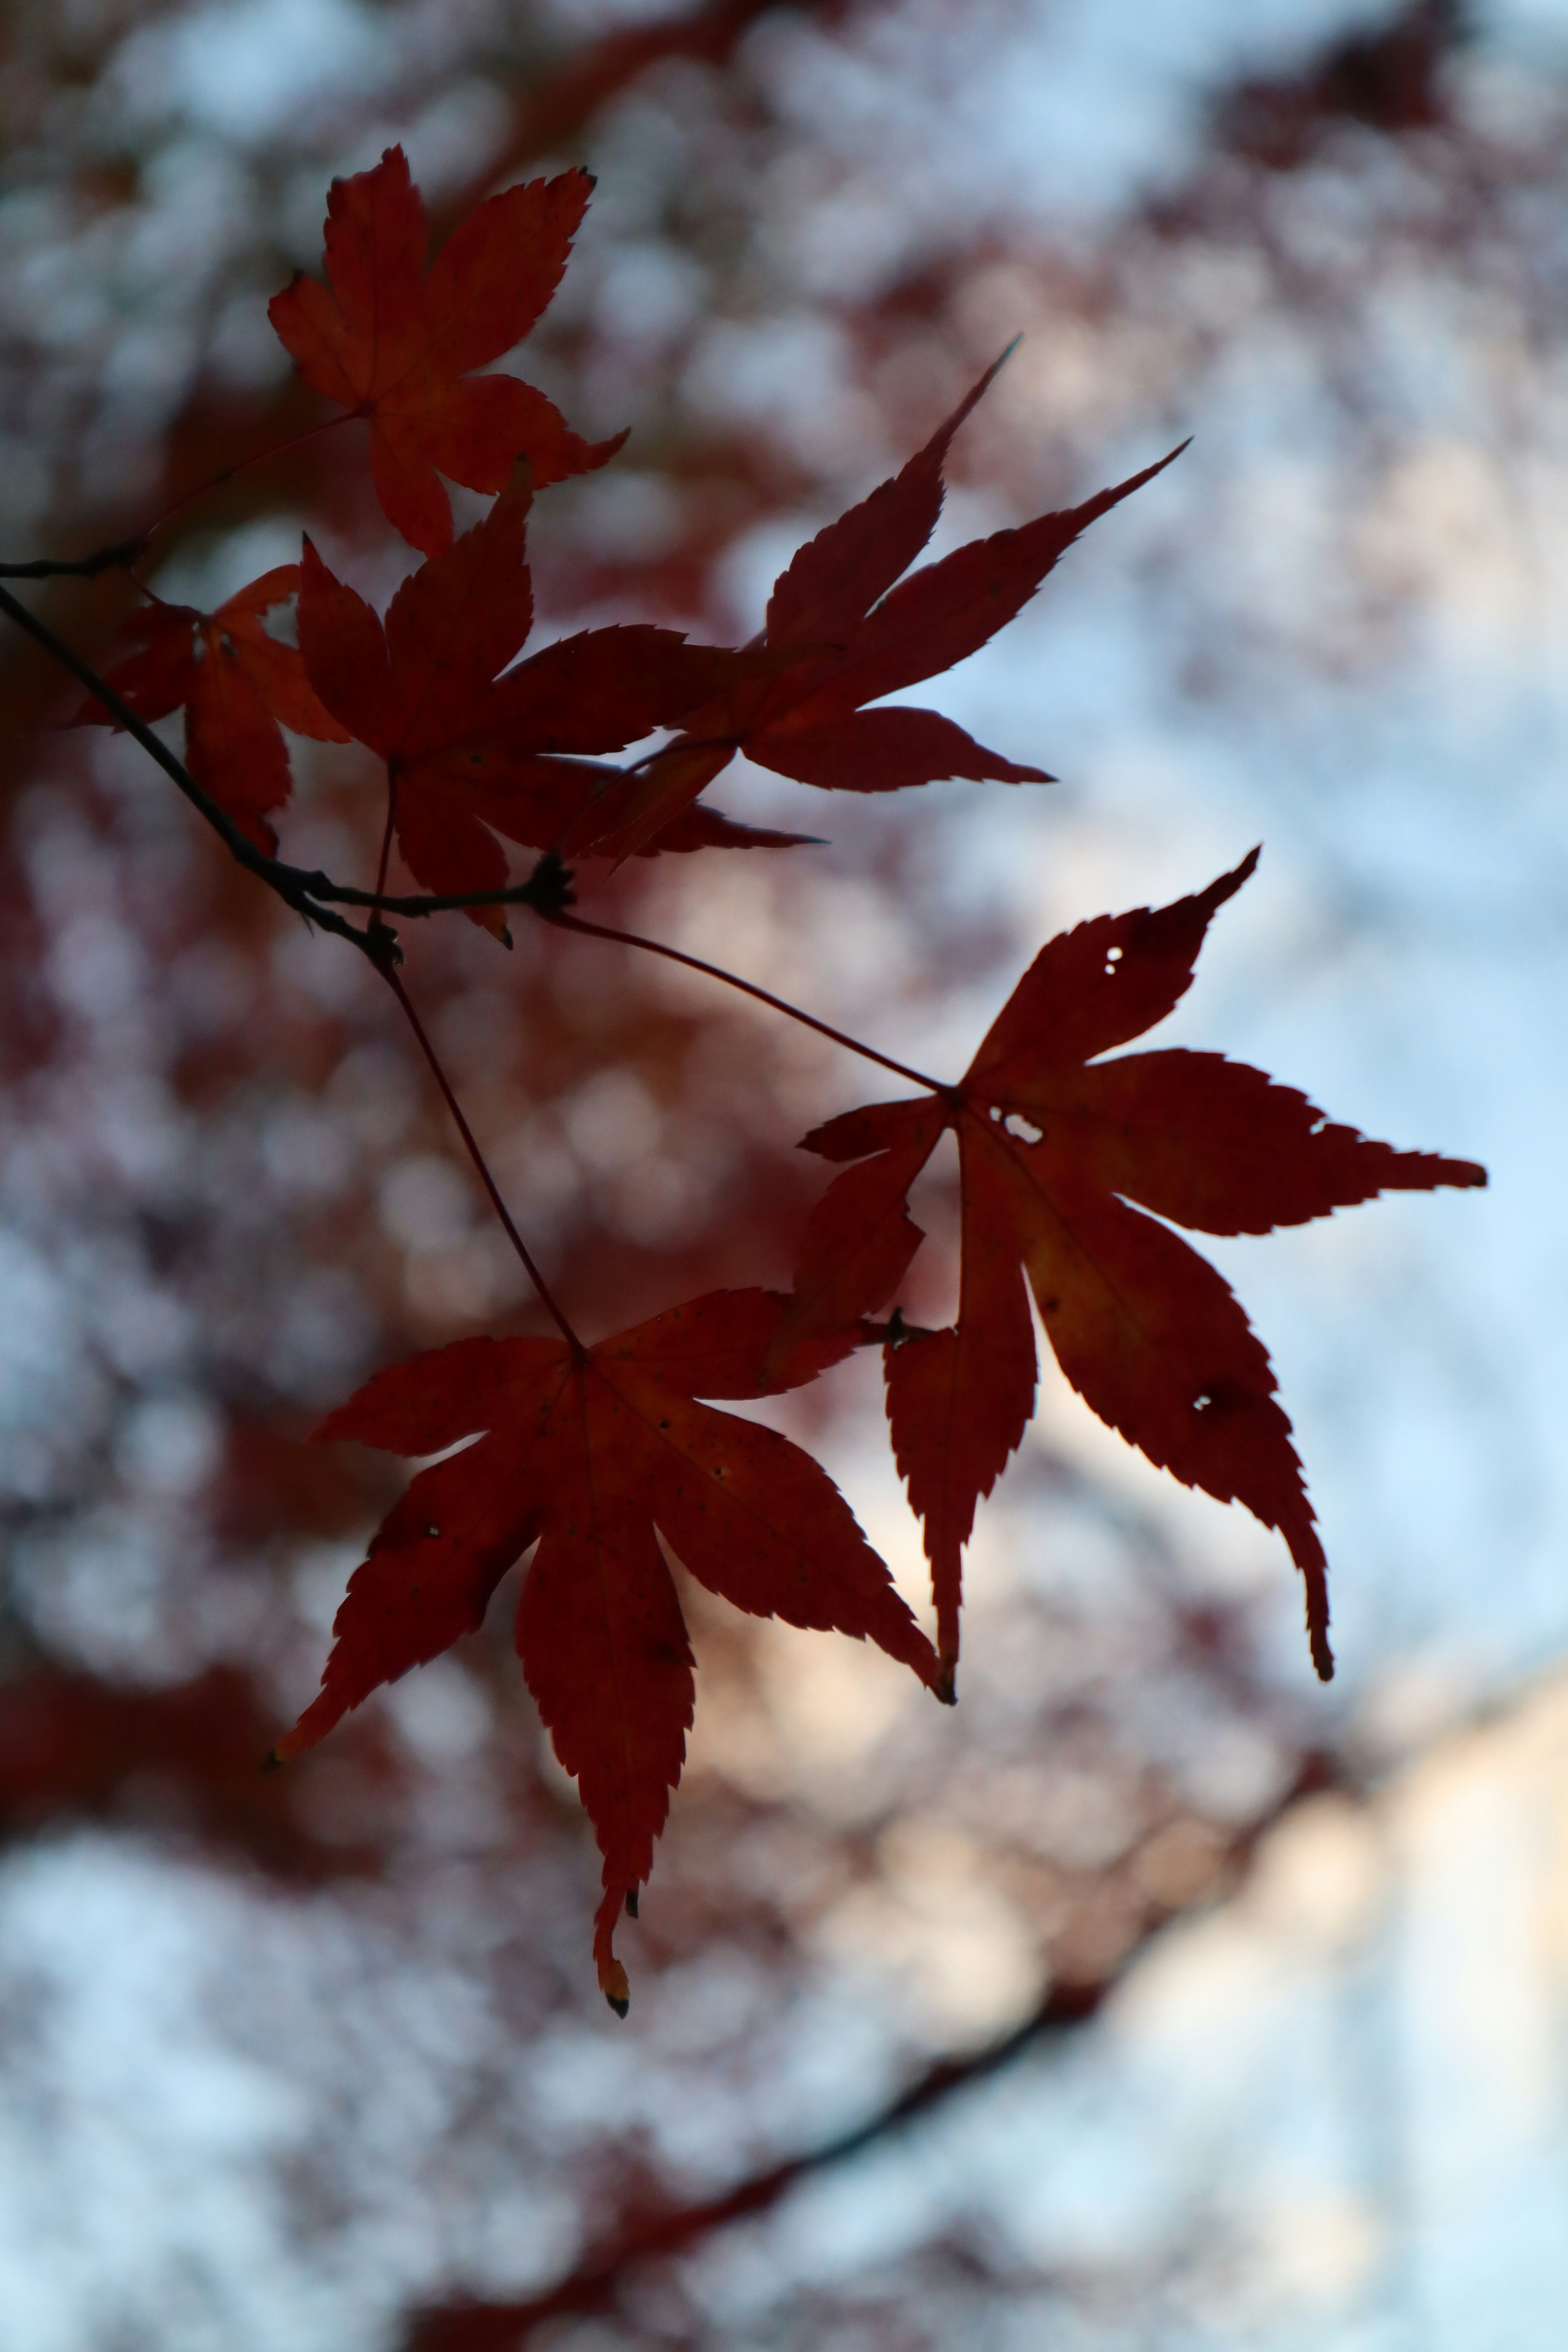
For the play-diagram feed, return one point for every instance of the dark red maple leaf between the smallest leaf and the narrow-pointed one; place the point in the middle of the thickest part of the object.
(474, 754)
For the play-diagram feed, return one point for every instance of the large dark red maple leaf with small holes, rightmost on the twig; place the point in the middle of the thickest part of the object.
(1054, 1151)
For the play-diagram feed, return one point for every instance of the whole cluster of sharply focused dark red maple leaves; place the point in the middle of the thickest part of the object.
(601, 1462)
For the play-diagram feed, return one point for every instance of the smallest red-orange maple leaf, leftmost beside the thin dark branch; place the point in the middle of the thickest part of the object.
(236, 686)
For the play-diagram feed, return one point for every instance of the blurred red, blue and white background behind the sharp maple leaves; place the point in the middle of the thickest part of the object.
(1158, 1998)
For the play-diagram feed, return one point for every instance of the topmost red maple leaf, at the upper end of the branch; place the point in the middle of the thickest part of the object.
(401, 347)
